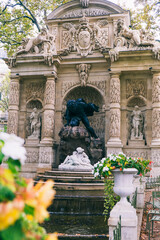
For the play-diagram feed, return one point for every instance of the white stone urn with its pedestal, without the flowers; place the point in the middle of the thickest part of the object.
(123, 187)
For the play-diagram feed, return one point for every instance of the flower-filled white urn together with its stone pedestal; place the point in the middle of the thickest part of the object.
(123, 168)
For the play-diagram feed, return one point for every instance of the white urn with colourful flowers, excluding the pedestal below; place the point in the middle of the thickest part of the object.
(123, 168)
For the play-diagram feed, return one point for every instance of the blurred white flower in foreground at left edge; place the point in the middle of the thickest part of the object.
(13, 147)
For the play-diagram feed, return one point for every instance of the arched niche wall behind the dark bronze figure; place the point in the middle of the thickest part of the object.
(89, 94)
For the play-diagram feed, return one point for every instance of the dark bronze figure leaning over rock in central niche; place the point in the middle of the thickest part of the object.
(78, 110)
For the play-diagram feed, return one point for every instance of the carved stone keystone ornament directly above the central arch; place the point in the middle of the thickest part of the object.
(83, 70)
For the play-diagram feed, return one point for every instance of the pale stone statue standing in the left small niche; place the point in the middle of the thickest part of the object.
(35, 123)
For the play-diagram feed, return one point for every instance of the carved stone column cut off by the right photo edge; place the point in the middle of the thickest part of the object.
(155, 144)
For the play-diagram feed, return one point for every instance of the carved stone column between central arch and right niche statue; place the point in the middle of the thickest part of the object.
(114, 144)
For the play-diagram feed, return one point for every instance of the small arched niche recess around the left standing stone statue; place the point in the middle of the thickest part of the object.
(29, 108)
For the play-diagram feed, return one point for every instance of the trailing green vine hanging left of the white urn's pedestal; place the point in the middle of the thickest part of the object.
(110, 198)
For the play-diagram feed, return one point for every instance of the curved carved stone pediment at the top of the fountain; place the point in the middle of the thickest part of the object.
(77, 8)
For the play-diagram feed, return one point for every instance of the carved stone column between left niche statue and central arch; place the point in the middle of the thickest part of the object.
(46, 153)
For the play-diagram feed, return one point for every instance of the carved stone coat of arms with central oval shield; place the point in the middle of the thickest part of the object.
(83, 37)
